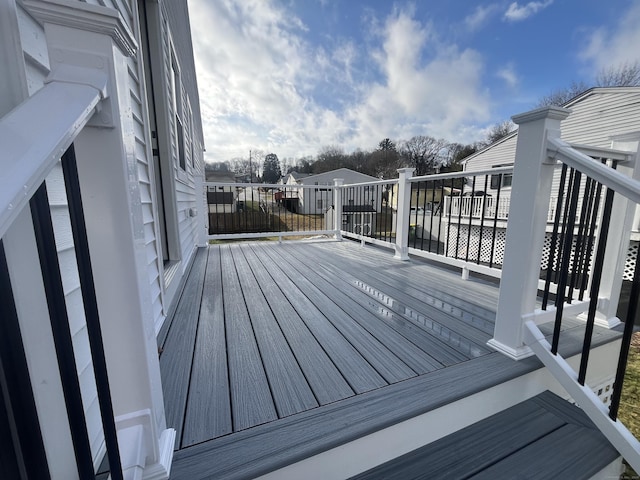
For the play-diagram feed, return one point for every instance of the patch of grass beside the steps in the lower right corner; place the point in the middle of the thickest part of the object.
(630, 402)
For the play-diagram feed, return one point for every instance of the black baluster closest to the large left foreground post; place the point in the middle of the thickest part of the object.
(96, 344)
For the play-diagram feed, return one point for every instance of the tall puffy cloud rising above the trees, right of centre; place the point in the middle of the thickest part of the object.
(429, 88)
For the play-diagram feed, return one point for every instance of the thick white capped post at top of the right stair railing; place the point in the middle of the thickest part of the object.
(532, 176)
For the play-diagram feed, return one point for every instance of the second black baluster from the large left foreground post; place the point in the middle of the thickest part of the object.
(54, 291)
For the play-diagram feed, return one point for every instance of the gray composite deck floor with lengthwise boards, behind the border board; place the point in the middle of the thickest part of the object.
(266, 330)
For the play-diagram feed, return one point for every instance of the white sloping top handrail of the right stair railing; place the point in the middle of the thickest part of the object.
(560, 150)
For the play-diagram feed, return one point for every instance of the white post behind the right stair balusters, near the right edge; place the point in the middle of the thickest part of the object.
(621, 222)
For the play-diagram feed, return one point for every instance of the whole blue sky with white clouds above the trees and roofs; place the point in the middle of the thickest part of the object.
(292, 76)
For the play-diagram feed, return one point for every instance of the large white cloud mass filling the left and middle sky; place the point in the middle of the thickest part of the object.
(264, 86)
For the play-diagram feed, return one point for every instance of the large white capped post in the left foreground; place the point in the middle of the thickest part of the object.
(93, 37)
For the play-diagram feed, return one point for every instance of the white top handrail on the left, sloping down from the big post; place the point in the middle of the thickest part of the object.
(33, 139)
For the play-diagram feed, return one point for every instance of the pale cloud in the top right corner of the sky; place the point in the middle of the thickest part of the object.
(617, 45)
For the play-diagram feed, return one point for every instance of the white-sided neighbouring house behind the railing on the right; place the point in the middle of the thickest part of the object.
(601, 117)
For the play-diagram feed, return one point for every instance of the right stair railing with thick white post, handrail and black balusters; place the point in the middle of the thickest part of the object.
(539, 150)
